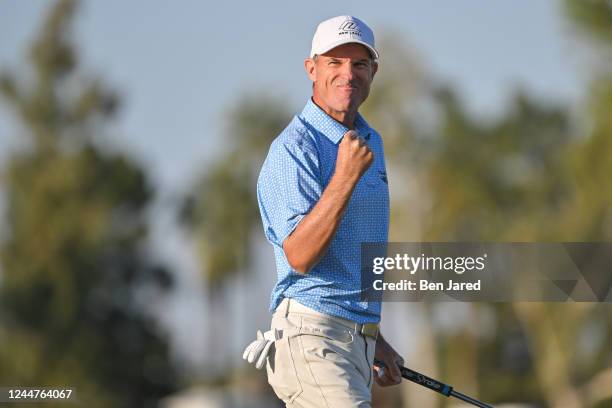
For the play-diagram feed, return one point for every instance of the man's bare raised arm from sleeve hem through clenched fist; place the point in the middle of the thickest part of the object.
(309, 241)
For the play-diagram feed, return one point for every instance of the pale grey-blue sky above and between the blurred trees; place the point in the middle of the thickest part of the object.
(179, 66)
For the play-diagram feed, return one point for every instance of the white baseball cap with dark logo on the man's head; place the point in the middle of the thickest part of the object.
(342, 30)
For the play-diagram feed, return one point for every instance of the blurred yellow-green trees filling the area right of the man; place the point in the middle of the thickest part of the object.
(530, 174)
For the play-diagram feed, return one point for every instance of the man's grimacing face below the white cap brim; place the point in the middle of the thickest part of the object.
(342, 78)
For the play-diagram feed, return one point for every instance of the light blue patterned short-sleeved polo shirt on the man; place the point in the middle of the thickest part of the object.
(299, 165)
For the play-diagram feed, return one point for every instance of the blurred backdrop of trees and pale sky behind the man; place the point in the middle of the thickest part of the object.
(132, 260)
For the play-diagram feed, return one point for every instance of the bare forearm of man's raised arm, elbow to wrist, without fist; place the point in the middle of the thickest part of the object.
(311, 238)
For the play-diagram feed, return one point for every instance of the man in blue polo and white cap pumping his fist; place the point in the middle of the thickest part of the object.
(323, 191)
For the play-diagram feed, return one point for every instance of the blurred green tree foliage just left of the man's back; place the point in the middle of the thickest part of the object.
(222, 210)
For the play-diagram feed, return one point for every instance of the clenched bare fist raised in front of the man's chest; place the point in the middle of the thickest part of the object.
(354, 157)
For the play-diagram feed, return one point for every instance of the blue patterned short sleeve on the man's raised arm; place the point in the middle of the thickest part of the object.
(288, 187)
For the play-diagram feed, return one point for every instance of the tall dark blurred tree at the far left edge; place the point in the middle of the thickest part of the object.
(74, 271)
